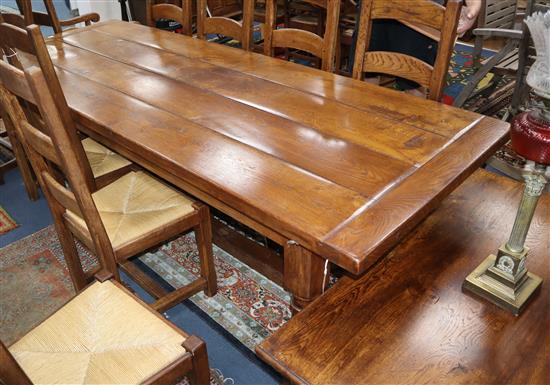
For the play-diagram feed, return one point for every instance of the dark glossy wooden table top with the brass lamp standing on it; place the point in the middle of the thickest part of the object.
(407, 321)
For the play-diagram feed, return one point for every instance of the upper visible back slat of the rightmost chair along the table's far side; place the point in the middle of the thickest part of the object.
(421, 12)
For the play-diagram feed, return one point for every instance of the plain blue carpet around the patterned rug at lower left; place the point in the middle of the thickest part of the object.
(224, 351)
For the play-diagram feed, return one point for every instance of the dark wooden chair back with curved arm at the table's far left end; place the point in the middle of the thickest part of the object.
(50, 18)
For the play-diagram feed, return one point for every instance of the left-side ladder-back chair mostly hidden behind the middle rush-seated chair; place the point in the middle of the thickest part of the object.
(106, 165)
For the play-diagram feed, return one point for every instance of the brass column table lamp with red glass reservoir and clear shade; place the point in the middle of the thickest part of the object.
(503, 278)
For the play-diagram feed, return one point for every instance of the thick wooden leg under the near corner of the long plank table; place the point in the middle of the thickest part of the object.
(303, 275)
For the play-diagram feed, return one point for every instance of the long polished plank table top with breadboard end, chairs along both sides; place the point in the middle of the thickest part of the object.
(342, 167)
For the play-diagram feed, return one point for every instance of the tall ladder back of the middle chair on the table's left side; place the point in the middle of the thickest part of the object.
(57, 157)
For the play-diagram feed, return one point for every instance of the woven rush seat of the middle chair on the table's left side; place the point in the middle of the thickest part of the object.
(135, 205)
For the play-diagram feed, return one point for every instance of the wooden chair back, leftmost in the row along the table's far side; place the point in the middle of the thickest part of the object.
(166, 10)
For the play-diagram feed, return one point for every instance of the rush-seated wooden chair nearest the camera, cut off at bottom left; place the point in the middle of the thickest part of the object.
(121, 341)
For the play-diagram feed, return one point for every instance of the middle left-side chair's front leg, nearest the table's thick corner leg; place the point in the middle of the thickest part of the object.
(203, 235)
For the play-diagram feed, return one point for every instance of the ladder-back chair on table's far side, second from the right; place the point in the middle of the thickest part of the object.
(303, 40)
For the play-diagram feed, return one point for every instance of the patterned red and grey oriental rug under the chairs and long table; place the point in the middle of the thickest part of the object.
(35, 282)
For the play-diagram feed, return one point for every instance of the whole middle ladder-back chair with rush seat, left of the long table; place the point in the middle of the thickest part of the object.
(130, 215)
